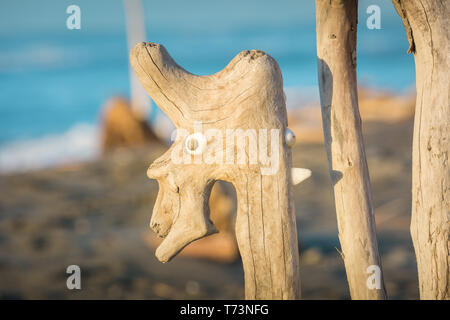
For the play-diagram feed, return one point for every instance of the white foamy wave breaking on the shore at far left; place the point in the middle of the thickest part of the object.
(80, 143)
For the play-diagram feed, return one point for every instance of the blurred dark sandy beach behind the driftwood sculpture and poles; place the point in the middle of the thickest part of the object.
(96, 215)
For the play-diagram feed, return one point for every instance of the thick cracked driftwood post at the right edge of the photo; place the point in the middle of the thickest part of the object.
(427, 27)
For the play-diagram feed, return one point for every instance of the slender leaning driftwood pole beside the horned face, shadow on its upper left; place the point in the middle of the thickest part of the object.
(336, 51)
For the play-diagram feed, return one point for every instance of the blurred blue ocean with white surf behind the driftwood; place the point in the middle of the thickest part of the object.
(54, 80)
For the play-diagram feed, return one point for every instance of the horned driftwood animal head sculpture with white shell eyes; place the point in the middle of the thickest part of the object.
(220, 119)
